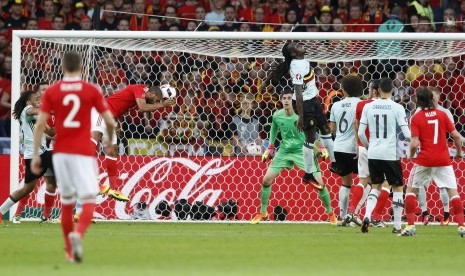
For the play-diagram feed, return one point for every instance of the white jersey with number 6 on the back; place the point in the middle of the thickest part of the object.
(343, 114)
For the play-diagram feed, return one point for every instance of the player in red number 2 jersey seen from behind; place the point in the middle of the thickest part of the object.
(71, 101)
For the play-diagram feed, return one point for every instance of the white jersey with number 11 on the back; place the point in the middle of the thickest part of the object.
(382, 117)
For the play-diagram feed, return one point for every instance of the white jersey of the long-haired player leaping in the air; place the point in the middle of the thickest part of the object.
(303, 74)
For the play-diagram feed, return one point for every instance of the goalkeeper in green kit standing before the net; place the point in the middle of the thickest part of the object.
(289, 154)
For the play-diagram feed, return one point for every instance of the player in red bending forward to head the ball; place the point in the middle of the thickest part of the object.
(145, 99)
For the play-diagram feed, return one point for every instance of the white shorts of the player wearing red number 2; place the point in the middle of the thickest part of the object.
(76, 175)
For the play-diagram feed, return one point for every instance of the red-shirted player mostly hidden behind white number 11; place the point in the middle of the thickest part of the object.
(362, 189)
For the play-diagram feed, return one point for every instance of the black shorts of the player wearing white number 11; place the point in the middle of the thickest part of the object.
(391, 170)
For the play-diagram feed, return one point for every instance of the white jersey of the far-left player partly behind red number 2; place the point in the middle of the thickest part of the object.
(27, 128)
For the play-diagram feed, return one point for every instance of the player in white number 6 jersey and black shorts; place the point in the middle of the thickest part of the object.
(345, 148)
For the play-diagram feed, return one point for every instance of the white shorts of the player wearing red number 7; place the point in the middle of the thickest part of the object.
(444, 177)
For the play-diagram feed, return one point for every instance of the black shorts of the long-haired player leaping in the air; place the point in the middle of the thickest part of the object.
(313, 114)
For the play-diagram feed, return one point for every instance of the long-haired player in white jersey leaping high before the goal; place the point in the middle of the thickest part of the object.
(305, 104)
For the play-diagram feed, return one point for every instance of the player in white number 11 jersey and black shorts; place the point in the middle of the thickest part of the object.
(382, 117)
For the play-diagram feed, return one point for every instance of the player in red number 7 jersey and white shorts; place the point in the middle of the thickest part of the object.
(429, 130)
